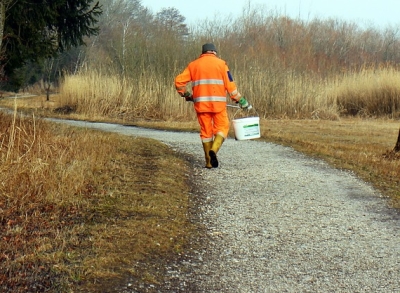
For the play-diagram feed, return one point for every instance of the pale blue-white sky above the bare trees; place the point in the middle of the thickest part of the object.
(370, 13)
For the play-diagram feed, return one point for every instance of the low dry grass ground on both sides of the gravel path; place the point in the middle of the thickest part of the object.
(73, 204)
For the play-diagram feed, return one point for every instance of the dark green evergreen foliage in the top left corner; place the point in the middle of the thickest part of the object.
(41, 29)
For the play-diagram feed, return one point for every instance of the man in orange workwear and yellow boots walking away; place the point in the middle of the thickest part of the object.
(211, 81)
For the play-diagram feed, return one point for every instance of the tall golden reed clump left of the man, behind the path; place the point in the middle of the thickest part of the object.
(149, 96)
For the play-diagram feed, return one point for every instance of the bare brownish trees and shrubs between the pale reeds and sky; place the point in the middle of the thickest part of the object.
(132, 39)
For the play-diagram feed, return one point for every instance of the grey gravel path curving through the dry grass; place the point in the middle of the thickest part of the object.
(278, 221)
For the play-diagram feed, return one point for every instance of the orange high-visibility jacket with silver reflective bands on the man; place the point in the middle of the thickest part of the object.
(211, 81)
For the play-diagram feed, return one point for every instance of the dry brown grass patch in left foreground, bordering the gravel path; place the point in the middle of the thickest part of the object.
(82, 209)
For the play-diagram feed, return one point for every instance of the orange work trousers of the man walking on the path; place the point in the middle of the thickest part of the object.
(212, 124)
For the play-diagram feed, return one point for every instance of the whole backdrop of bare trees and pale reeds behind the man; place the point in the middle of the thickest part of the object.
(286, 67)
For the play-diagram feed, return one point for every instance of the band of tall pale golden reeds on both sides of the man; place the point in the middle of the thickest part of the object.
(274, 94)
